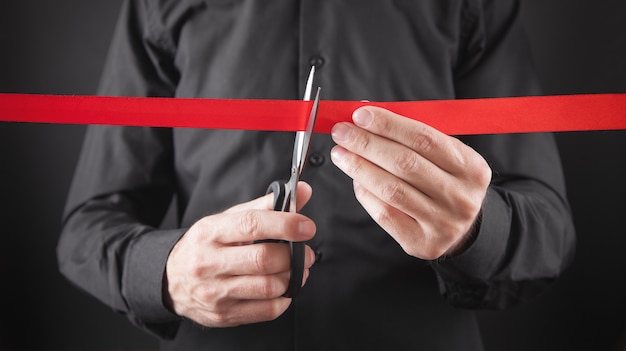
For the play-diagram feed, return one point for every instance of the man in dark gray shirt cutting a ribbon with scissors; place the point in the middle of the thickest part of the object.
(407, 229)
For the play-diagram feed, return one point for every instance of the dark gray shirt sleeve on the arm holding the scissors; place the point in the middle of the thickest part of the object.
(110, 245)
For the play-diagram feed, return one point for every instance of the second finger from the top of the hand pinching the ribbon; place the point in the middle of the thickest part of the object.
(393, 157)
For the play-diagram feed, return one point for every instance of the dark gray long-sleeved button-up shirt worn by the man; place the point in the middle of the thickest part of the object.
(364, 292)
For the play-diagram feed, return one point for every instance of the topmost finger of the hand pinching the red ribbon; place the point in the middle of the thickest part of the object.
(441, 149)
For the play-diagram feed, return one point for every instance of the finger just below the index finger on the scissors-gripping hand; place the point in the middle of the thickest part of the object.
(259, 259)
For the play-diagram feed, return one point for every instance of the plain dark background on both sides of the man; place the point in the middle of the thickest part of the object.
(58, 47)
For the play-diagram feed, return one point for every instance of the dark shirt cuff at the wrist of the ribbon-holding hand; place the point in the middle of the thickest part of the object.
(480, 261)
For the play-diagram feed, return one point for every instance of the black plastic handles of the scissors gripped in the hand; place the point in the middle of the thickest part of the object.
(281, 203)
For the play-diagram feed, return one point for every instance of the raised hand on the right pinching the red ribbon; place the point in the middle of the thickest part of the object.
(421, 186)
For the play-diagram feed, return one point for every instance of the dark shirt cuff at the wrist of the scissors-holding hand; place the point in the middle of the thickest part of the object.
(143, 276)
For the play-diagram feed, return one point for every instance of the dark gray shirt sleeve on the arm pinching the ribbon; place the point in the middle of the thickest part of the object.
(526, 235)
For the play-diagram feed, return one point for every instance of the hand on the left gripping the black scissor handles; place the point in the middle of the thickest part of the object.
(217, 276)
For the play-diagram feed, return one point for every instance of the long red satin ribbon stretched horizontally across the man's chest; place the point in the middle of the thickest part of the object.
(457, 117)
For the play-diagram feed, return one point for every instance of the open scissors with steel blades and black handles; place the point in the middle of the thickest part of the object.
(285, 191)
